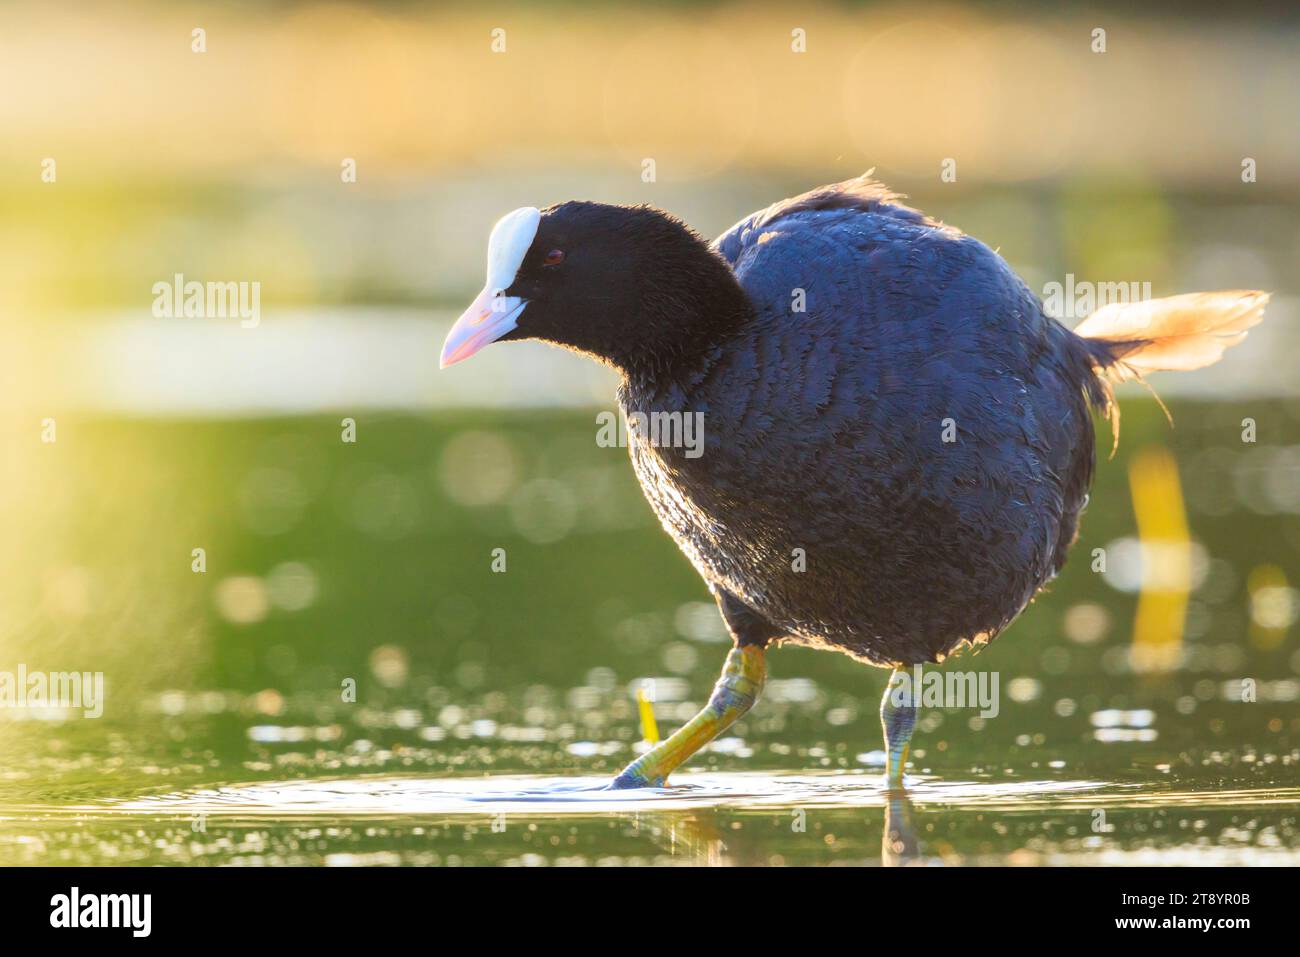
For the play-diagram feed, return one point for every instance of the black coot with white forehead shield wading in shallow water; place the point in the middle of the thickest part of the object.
(898, 440)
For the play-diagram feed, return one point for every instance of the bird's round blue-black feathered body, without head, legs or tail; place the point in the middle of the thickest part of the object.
(896, 447)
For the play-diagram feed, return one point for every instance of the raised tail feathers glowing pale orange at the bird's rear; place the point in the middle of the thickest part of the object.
(1126, 341)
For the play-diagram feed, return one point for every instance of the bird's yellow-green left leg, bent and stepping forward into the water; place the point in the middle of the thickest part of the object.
(735, 694)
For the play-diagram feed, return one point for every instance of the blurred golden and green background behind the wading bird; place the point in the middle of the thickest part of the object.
(136, 149)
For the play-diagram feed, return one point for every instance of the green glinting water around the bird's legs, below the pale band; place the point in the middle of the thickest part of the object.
(491, 709)
